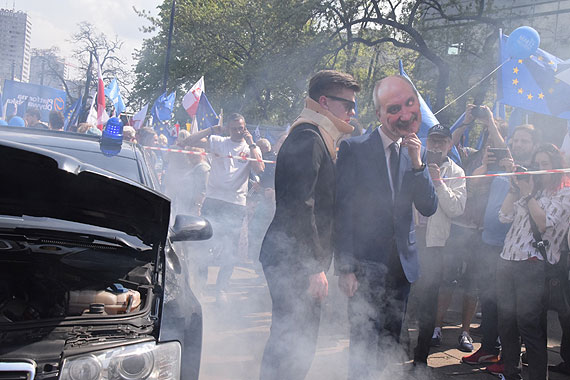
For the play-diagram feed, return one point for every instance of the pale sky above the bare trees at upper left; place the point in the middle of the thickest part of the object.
(53, 22)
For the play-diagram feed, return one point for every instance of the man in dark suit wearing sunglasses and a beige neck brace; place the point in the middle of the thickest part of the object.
(297, 249)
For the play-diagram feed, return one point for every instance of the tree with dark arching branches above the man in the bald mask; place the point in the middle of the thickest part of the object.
(403, 24)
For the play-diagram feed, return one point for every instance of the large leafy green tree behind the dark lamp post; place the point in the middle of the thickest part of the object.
(254, 54)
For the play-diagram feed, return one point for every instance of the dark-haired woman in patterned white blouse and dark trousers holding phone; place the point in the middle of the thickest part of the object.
(542, 200)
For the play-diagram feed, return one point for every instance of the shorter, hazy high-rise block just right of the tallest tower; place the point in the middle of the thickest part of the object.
(47, 69)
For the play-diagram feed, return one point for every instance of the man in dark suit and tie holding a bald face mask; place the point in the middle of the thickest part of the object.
(381, 176)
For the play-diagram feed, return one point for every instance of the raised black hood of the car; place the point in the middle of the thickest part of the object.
(40, 182)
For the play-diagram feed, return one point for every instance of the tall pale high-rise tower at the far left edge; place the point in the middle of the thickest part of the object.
(15, 45)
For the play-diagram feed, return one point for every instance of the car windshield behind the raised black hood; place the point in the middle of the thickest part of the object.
(124, 166)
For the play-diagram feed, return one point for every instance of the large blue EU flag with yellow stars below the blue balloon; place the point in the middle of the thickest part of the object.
(530, 83)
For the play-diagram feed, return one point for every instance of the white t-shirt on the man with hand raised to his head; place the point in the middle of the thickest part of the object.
(228, 176)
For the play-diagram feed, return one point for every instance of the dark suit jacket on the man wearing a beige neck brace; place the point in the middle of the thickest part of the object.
(299, 236)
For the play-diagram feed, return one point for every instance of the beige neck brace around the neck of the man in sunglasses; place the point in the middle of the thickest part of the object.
(331, 127)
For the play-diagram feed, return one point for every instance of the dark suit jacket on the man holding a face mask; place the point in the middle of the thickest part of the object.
(368, 222)
